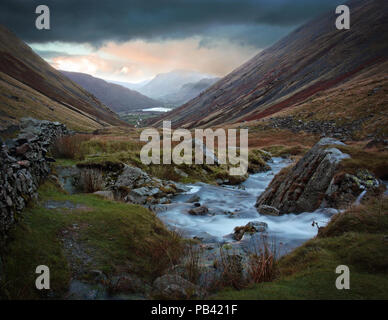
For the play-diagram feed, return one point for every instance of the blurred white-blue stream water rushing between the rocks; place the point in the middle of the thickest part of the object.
(230, 207)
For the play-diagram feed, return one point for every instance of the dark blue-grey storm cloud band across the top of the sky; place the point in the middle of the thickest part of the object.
(99, 21)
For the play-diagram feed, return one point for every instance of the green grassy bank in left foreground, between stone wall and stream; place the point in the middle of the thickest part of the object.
(119, 237)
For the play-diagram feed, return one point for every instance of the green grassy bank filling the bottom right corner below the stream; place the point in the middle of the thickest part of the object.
(356, 238)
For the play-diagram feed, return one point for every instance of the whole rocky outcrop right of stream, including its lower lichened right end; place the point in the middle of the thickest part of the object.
(316, 181)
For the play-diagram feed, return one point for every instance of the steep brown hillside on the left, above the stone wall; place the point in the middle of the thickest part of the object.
(29, 86)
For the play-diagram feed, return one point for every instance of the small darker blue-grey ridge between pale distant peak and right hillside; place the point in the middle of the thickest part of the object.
(188, 91)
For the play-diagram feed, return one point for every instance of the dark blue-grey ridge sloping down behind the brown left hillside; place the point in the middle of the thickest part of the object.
(118, 98)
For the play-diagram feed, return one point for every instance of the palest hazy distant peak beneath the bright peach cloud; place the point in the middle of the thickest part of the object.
(168, 83)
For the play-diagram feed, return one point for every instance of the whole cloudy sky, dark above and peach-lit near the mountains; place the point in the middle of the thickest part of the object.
(133, 40)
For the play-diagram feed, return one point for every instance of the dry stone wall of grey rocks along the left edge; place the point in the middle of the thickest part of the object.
(23, 165)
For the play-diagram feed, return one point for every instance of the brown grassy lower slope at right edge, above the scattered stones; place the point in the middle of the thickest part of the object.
(362, 97)
